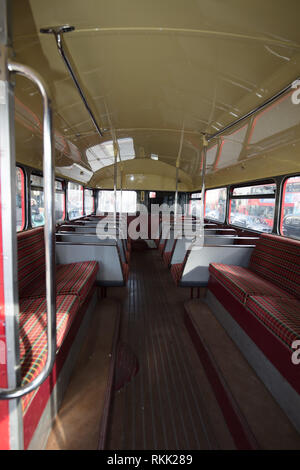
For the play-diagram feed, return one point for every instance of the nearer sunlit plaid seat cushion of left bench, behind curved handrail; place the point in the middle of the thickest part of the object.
(33, 334)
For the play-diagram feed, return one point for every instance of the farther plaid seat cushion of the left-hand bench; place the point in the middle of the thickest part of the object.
(73, 278)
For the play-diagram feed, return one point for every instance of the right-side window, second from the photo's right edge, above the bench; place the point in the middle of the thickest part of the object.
(253, 207)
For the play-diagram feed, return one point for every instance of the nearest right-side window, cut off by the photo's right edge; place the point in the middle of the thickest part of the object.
(290, 215)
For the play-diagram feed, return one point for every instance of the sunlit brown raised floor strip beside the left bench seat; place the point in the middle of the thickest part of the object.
(82, 419)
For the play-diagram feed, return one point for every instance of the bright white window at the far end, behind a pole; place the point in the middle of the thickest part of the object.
(106, 201)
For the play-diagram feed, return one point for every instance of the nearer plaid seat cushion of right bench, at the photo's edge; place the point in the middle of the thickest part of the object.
(281, 316)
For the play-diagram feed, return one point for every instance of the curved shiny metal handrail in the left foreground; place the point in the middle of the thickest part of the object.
(48, 167)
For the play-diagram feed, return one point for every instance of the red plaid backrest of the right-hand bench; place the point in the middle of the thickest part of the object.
(277, 259)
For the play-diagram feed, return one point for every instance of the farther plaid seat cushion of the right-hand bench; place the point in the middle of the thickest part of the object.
(242, 282)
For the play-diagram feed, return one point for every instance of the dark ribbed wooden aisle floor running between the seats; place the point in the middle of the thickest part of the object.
(169, 404)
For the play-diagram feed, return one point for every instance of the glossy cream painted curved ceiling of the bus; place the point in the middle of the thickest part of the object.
(161, 72)
